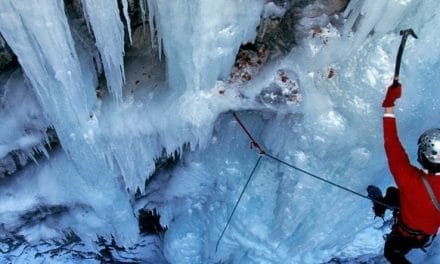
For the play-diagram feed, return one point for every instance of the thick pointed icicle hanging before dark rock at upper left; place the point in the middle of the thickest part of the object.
(108, 29)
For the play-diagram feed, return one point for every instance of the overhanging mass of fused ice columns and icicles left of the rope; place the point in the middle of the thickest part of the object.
(113, 145)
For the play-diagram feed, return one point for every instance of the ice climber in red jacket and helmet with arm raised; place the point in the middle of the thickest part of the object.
(416, 216)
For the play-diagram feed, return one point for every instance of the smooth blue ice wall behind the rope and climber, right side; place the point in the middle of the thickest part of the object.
(285, 216)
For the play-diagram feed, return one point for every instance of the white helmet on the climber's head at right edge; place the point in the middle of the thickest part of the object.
(429, 150)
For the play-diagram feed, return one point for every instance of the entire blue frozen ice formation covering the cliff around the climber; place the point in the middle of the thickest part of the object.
(316, 106)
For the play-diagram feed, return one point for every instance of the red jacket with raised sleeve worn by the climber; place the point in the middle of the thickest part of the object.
(416, 208)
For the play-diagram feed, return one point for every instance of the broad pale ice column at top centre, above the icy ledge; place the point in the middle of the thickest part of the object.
(201, 38)
